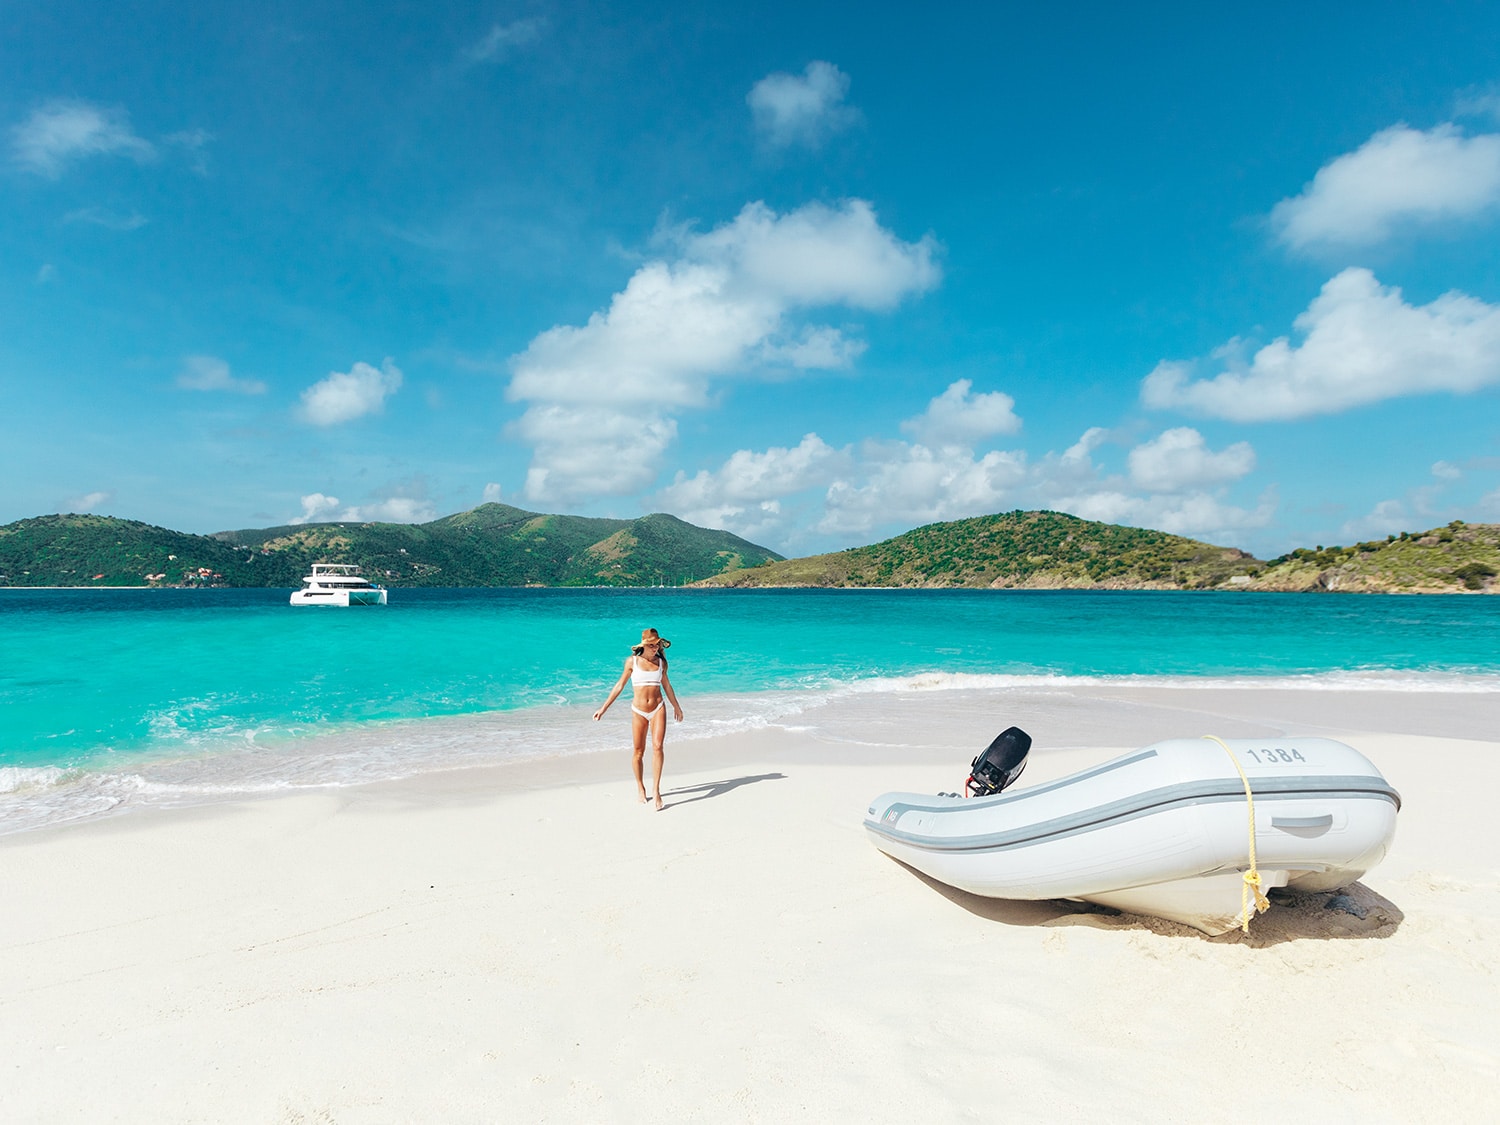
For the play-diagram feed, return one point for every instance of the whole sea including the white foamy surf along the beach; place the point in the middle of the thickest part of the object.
(118, 698)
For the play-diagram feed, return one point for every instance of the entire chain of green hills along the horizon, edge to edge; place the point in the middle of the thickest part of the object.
(497, 545)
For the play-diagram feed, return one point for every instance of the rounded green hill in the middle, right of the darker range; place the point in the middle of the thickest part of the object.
(1037, 550)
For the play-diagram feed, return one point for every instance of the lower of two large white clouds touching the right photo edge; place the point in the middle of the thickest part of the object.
(1361, 344)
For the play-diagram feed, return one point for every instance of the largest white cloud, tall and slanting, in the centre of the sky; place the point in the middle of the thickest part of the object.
(602, 397)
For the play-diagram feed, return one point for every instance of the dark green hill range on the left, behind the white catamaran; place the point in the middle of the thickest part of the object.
(494, 545)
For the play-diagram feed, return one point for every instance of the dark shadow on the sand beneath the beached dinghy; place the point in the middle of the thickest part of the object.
(1352, 911)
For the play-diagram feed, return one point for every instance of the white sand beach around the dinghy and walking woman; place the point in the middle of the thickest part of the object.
(530, 944)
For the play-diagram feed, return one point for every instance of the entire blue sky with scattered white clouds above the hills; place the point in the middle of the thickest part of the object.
(808, 272)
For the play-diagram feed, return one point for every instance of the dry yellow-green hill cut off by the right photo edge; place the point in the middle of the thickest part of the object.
(1454, 559)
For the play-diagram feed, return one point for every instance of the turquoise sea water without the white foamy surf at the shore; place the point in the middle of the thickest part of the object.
(103, 676)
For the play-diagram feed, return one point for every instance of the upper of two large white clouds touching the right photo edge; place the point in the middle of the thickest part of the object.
(1400, 175)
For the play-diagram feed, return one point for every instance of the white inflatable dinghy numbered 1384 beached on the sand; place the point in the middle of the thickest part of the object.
(1163, 832)
